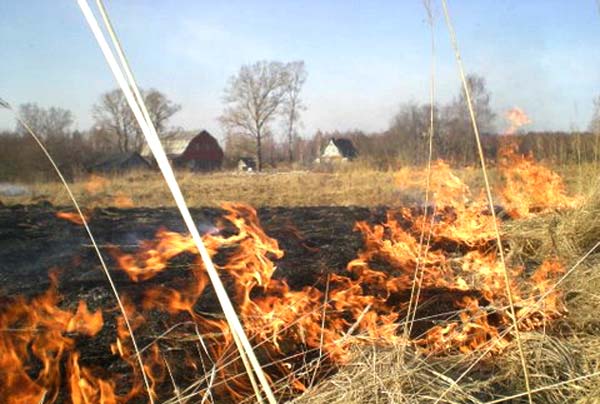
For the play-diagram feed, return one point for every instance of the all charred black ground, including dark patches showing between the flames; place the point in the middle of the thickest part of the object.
(33, 241)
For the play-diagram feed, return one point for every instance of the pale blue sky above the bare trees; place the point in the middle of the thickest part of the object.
(364, 58)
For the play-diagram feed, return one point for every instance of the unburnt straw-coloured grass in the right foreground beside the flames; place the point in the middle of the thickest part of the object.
(563, 360)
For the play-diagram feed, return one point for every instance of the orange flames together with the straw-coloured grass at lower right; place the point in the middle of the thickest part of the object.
(344, 336)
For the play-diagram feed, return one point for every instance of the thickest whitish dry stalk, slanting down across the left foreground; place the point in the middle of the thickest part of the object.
(242, 342)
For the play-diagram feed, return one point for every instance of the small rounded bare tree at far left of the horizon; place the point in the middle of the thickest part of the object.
(49, 123)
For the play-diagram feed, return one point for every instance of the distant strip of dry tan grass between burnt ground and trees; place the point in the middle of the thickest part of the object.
(351, 185)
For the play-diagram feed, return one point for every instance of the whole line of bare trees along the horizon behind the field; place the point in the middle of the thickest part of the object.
(262, 118)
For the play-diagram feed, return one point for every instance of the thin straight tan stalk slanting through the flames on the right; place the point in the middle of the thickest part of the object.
(489, 196)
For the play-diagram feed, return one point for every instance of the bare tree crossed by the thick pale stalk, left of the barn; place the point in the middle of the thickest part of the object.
(114, 117)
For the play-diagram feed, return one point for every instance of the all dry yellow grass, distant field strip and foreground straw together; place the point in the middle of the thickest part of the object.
(561, 354)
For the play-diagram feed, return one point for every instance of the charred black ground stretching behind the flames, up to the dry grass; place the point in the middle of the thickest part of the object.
(33, 240)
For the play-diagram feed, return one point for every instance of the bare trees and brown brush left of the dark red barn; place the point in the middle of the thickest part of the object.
(114, 131)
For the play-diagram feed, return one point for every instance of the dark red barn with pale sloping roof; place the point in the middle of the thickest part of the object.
(195, 151)
